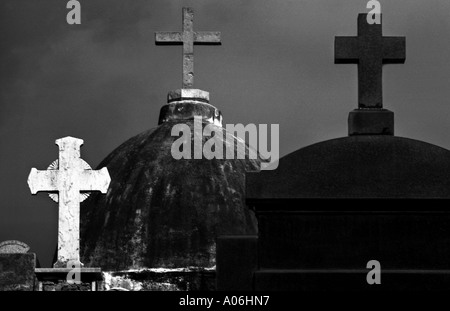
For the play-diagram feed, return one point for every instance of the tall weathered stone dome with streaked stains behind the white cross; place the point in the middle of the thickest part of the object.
(160, 212)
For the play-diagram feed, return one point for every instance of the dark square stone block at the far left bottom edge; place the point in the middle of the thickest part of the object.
(17, 272)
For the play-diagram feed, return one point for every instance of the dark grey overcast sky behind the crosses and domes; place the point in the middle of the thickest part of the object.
(105, 80)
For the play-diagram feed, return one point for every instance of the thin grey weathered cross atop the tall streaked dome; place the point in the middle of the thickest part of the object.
(188, 37)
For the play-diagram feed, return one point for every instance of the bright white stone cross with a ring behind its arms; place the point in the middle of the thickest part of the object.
(68, 177)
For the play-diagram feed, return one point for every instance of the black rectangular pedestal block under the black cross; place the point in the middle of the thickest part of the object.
(371, 122)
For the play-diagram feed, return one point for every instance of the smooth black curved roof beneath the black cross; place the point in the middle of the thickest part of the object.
(376, 166)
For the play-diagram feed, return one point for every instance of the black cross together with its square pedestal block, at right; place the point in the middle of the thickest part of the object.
(370, 50)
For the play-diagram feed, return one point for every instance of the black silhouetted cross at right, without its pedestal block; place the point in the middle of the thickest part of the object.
(370, 50)
